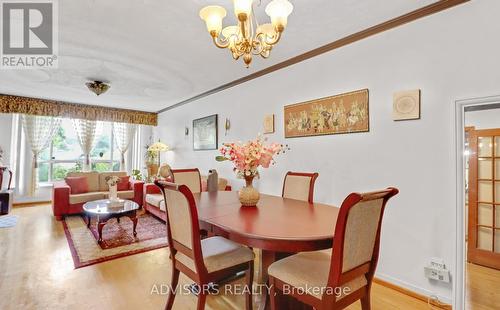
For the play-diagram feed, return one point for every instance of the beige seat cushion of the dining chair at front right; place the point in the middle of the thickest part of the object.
(310, 270)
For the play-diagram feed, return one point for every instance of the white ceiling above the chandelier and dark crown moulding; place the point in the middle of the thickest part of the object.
(156, 53)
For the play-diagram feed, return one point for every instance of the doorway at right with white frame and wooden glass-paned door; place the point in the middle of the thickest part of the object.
(478, 191)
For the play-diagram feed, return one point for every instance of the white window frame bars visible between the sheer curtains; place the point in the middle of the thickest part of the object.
(52, 161)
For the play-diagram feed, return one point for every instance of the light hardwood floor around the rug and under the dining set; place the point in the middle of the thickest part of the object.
(36, 272)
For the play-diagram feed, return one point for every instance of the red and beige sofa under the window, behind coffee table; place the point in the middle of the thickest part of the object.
(64, 202)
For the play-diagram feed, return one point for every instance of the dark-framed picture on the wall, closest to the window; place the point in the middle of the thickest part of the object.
(205, 133)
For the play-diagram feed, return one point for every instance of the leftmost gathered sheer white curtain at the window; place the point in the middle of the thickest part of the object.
(39, 131)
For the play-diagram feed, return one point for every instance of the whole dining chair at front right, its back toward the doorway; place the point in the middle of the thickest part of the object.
(337, 277)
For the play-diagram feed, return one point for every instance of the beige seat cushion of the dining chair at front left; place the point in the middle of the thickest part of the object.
(219, 253)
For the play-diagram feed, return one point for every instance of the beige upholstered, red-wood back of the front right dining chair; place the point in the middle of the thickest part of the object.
(357, 237)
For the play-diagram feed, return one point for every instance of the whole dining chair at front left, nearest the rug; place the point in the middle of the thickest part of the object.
(203, 261)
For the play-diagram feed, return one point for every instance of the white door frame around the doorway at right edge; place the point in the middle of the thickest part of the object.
(460, 253)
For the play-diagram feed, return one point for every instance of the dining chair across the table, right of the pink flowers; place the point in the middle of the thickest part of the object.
(299, 185)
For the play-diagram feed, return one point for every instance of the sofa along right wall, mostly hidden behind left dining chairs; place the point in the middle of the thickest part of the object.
(155, 204)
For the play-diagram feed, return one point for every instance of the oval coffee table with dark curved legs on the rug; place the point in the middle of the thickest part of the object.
(104, 210)
